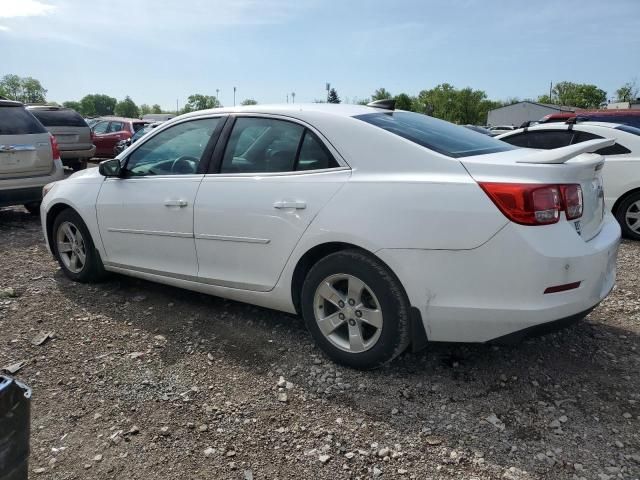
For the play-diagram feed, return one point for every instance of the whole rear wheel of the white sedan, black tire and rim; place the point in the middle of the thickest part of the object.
(348, 337)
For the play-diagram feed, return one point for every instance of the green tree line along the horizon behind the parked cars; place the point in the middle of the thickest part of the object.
(457, 105)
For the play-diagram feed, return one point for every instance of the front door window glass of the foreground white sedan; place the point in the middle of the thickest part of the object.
(174, 151)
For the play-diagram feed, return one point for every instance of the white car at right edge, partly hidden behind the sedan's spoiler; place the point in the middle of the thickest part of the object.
(622, 167)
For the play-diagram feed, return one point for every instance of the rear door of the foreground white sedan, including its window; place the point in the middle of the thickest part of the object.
(273, 179)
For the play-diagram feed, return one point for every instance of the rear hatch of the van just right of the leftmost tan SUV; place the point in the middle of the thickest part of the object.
(69, 128)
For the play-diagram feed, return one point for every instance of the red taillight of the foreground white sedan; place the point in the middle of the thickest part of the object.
(535, 204)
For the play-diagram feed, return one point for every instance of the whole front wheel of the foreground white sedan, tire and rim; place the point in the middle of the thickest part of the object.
(69, 224)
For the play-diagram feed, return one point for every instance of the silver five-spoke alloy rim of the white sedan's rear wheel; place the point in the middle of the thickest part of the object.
(348, 313)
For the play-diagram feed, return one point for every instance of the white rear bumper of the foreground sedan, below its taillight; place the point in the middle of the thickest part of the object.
(498, 288)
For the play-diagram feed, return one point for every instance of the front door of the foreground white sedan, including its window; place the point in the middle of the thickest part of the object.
(146, 217)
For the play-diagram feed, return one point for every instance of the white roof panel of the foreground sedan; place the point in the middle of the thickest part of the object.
(342, 110)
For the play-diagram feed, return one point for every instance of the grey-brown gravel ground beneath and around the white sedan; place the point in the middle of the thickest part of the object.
(141, 380)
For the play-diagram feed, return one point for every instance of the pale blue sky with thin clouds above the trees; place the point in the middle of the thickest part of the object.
(158, 51)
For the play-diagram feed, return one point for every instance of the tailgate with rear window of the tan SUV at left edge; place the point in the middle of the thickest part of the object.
(25, 145)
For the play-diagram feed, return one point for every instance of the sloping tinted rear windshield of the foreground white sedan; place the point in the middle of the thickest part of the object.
(437, 135)
